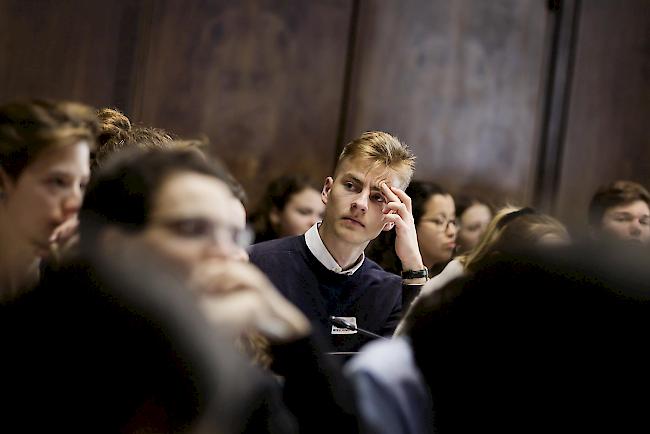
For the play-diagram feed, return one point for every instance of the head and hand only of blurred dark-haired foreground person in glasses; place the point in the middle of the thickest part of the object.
(179, 205)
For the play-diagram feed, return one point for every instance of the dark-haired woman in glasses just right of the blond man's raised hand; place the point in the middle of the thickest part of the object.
(434, 215)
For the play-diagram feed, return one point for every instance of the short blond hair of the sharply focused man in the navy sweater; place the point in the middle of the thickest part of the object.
(380, 148)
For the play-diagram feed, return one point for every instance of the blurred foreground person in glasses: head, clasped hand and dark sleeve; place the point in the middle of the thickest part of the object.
(178, 207)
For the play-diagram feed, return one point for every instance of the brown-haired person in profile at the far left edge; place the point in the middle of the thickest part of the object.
(44, 169)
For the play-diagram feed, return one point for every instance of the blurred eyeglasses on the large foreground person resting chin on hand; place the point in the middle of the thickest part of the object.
(206, 230)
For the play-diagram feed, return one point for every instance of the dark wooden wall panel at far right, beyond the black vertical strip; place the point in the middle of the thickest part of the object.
(608, 133)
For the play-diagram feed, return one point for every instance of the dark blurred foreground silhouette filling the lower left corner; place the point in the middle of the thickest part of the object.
(114, 343)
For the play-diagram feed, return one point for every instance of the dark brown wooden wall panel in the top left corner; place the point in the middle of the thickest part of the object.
(61, 50)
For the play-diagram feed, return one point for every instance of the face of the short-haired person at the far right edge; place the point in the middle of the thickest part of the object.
(628, 222)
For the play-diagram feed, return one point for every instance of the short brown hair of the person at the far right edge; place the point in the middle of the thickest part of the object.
(614, 194)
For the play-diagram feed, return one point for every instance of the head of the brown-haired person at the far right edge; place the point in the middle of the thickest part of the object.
(620, 212)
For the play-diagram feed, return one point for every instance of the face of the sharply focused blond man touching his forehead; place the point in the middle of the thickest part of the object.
(355, 203)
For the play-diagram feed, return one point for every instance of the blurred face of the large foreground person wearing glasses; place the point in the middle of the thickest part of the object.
(195, 219)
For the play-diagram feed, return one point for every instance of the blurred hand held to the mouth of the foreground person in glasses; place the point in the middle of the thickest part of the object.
(238, 298)
